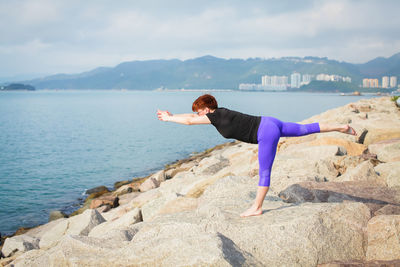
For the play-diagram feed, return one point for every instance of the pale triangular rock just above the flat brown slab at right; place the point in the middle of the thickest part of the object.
(362, 172)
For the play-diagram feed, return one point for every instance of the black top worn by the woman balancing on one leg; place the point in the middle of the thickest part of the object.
(236, 125)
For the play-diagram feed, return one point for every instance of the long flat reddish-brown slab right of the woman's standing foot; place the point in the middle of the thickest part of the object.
(340, 191)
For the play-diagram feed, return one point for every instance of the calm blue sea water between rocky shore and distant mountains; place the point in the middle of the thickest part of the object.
(56, 144)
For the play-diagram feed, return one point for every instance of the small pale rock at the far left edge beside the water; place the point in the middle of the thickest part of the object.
(19, 243)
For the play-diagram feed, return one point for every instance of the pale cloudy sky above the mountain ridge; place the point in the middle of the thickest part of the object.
(70, 36)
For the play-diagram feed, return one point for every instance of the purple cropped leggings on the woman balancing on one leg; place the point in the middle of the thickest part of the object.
(269, 132)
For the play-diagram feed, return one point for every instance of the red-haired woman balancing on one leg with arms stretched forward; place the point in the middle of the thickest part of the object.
(264, 131)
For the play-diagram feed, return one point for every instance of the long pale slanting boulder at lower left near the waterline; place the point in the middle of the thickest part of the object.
(77, 225)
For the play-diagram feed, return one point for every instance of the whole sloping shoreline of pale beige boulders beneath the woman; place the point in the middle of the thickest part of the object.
(334, 200)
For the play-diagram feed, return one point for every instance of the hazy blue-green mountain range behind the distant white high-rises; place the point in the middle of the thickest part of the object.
(210, 72)
